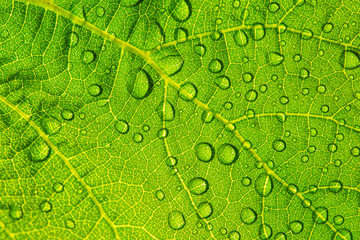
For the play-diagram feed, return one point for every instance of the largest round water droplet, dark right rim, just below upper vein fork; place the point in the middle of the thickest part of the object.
(139, 84)
